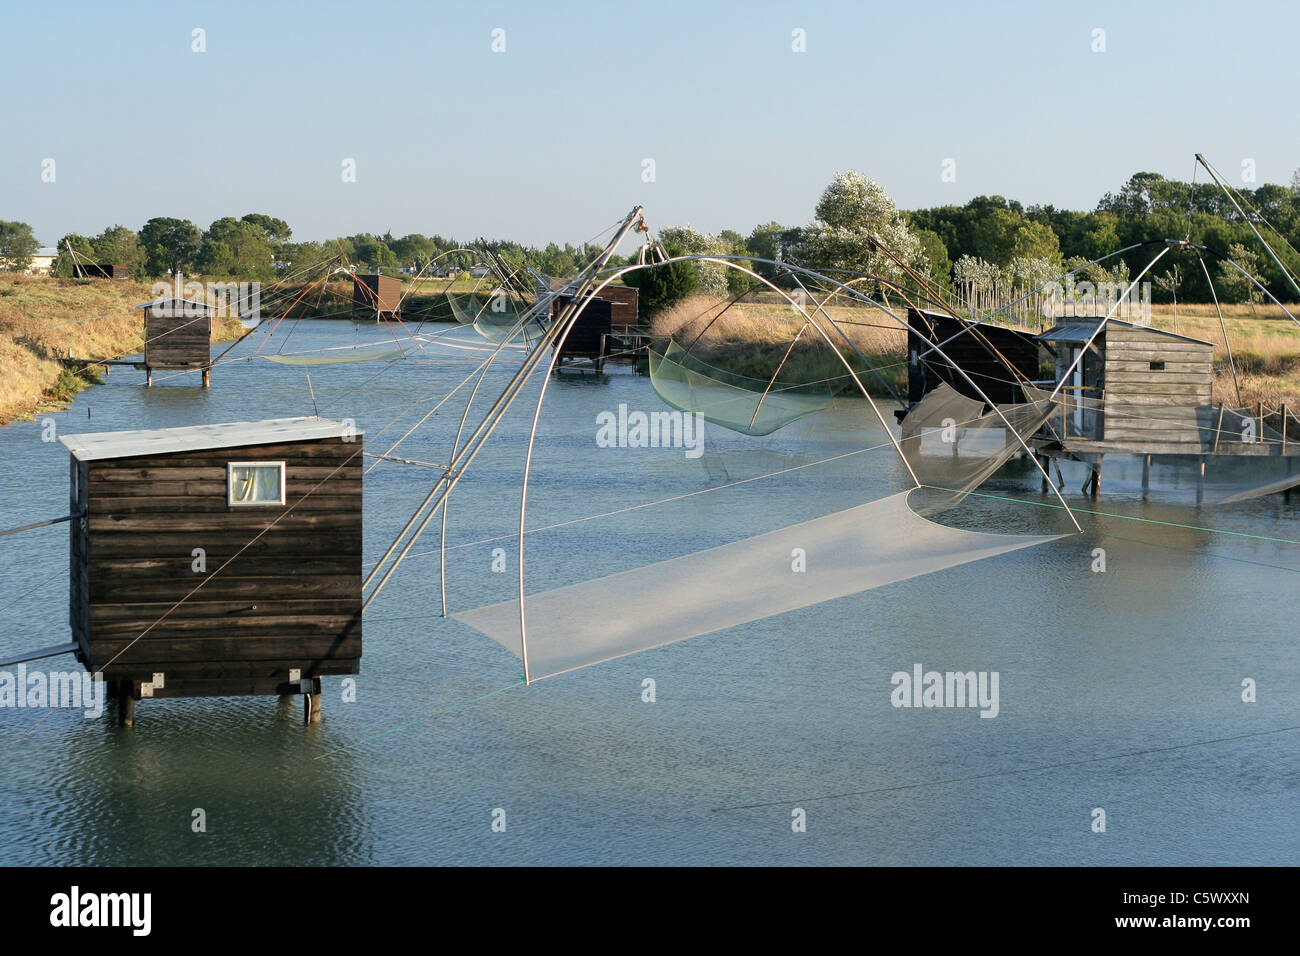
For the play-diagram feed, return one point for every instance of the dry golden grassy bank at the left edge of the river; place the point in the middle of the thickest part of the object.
(42, 319)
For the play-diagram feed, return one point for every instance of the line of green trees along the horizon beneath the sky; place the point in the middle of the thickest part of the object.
(990, 243)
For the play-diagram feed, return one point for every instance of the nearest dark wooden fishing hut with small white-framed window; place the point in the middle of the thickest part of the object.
(218, 560)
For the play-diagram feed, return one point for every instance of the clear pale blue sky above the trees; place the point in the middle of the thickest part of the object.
(547, 140)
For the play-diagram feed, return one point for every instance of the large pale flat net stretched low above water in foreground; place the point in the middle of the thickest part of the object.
(847, 552)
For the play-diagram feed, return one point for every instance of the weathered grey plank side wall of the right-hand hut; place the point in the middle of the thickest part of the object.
(1155, 405)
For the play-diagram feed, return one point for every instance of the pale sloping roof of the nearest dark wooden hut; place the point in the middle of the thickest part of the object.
(164, 442)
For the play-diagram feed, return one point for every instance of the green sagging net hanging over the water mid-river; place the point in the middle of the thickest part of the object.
(749, 406)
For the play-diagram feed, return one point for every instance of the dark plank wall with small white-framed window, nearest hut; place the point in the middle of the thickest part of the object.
(292, 599)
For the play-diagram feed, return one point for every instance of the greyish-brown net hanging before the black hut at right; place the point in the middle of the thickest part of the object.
(955, 444)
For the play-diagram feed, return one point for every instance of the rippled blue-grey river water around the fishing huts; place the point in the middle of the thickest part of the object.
(1117, 691)
